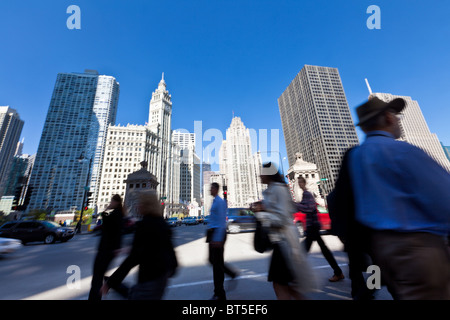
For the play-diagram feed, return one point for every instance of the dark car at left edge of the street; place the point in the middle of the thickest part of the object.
(33, 230)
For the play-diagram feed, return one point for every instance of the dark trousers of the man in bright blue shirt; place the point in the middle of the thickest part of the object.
(219, 270)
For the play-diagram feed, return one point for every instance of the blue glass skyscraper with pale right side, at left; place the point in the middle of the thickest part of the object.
(81, 108)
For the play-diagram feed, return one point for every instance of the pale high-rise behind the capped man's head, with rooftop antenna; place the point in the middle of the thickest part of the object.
(415, 129)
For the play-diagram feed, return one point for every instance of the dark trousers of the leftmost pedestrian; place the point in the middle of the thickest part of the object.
(101, 264)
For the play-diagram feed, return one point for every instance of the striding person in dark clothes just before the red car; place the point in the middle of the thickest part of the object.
(309, 207)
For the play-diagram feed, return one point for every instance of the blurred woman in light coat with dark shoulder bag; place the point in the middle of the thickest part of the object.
(290, 272)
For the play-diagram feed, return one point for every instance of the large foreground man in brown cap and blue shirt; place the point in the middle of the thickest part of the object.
(402, 196)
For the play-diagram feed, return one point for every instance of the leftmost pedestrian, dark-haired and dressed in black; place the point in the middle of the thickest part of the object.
(109, 245)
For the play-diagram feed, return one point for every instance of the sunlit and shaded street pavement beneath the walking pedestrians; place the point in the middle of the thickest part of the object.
(39, 271)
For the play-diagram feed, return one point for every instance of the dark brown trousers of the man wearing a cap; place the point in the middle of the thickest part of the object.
(414, 265)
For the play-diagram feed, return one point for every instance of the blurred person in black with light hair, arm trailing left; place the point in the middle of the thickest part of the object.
(152, 250)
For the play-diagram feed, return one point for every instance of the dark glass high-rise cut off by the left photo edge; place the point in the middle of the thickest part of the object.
(10, 129)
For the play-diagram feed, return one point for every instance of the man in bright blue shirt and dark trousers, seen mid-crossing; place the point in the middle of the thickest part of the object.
(216, 237)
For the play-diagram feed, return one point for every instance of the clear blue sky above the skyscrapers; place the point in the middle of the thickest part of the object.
(223, 56)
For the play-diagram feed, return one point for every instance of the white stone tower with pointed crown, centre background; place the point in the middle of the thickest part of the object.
(240, 166)
